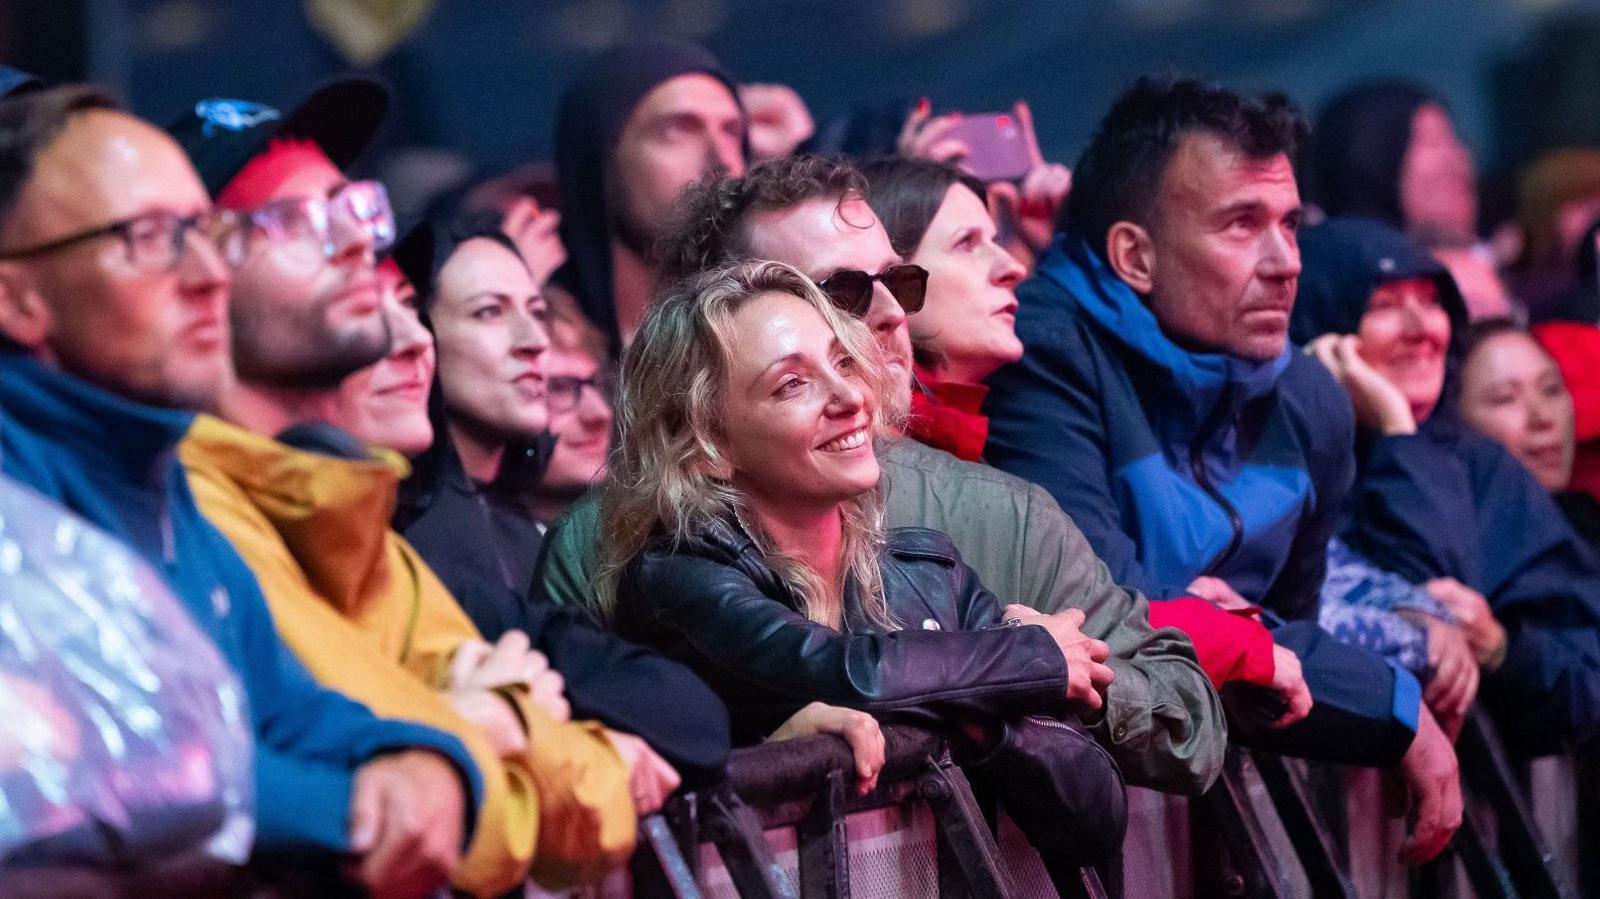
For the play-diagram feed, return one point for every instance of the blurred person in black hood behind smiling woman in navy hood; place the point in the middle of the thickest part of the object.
(1390, 151)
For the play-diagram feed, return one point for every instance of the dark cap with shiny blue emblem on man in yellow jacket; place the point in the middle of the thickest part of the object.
(223, 135)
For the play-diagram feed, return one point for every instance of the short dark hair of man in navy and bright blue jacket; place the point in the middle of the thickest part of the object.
(1121, 174)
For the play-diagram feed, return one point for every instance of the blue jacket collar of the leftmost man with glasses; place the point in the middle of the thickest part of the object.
(122, 436)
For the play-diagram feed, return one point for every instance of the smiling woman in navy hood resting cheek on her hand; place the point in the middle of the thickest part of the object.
(1442, 505)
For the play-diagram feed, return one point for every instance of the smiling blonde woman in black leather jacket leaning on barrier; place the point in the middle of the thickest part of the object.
(756, 554)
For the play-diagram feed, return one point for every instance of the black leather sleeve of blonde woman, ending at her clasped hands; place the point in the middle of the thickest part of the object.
(767, 660)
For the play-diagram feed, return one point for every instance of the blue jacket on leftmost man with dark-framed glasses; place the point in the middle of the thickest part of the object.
(116, 465)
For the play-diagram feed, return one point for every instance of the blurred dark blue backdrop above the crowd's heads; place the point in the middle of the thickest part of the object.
(478, 79)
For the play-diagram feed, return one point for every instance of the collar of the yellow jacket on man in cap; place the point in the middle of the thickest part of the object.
(332, 514)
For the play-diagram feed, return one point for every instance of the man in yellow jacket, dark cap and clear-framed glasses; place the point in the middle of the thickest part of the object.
(308, 506)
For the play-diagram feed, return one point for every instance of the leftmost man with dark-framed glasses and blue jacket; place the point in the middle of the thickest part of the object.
(113, 316)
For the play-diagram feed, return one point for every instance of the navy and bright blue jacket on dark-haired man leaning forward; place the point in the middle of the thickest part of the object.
(1178, 465)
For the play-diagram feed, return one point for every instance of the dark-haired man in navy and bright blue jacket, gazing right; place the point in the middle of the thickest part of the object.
(1162, 407)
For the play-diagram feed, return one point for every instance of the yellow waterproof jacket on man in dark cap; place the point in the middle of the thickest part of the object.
(369, 618)
